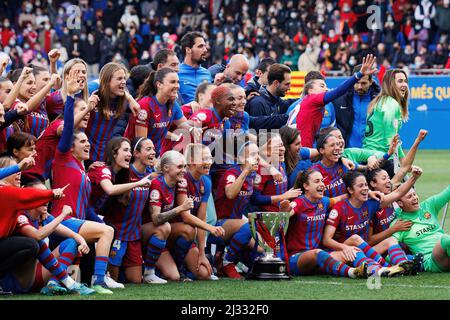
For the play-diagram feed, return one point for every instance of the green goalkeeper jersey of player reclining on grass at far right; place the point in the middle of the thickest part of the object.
(426, 230)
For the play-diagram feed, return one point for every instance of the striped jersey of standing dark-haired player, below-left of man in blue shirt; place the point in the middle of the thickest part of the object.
(156, 118)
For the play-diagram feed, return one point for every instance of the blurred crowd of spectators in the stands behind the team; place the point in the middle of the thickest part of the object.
(304, 35)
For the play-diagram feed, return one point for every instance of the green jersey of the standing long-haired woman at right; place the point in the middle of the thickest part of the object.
(382, 125)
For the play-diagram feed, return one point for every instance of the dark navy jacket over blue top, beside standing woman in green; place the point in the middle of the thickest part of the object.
(345, 116)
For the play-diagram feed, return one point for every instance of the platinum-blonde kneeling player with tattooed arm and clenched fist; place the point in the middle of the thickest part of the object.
(171, 168)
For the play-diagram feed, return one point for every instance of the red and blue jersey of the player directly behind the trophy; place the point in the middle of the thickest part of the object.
(267, 186)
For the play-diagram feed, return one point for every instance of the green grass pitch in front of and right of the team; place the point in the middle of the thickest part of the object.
(422, 287)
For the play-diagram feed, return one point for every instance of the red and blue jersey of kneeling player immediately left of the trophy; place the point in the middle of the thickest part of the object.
(233, 208)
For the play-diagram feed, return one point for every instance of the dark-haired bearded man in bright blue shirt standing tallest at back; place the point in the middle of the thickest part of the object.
(191, 72)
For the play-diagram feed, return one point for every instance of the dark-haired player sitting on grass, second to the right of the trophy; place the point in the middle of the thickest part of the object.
(347, 227)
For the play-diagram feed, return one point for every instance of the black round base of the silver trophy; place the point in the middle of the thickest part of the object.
(268, 269)
